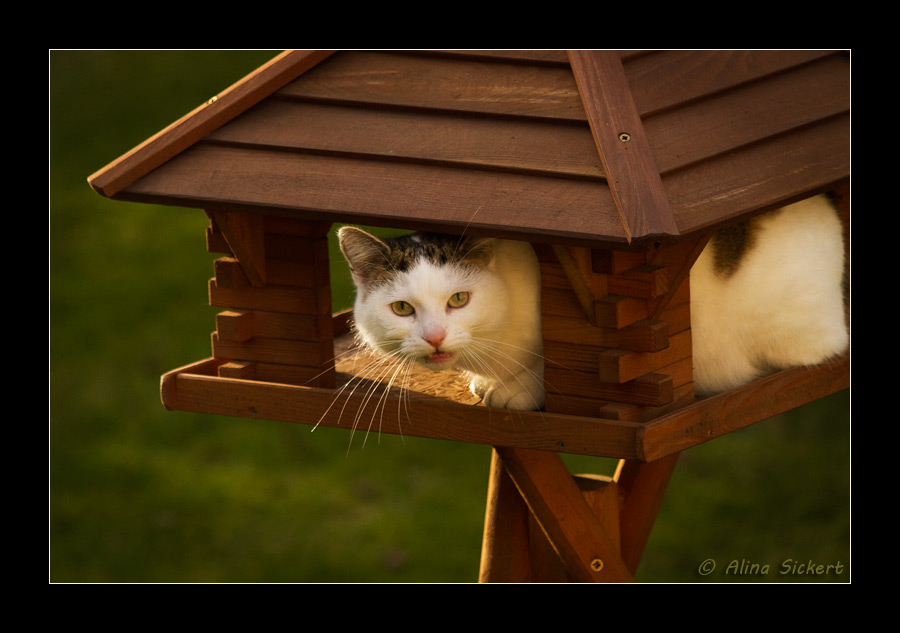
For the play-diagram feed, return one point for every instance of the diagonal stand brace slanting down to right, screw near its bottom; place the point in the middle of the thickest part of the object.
(580, 540)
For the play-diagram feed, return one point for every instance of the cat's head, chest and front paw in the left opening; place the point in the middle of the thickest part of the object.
(448, 302)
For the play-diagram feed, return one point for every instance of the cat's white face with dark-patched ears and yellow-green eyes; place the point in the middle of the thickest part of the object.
(431, 305)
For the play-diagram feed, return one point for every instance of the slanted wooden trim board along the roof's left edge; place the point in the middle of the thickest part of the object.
(193, 126)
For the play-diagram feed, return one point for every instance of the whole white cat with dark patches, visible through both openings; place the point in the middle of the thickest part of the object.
(772, 298)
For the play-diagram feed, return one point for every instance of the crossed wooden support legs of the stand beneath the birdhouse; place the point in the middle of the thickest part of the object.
(597, 526)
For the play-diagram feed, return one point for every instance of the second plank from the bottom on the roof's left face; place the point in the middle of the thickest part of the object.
(549, 147)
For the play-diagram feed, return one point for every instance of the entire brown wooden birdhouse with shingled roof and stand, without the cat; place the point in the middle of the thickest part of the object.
(615, 166)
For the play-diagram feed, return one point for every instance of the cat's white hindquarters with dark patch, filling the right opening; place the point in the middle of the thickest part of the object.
(769, 294)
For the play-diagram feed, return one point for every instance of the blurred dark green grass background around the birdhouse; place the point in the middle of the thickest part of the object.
(140, 494)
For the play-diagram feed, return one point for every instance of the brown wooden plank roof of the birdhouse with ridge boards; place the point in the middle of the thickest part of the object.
(611, 148)
